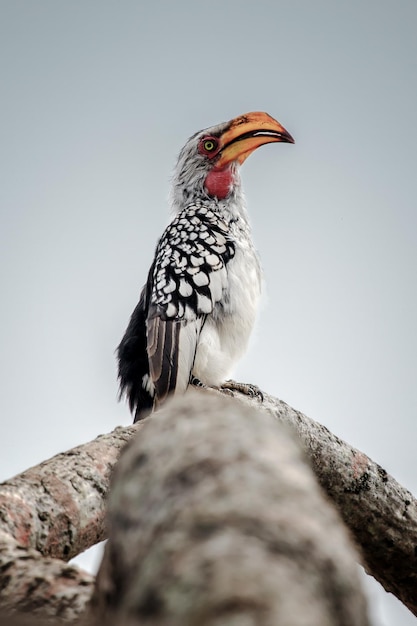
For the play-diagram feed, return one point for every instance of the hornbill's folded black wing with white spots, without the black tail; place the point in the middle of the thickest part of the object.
(189, 277)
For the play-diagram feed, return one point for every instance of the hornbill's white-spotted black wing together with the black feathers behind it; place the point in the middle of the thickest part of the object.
(188, 276)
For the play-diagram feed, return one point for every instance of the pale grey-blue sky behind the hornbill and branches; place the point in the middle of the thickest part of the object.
(98, 98)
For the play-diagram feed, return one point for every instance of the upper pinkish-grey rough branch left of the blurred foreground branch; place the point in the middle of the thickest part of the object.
(58, 507)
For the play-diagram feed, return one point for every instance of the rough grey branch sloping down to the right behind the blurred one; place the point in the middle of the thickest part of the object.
(381, 514)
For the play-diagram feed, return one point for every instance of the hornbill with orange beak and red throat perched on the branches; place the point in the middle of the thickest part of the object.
(198, 306)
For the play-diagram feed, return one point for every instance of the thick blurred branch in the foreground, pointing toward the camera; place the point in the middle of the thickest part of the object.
(215, 518)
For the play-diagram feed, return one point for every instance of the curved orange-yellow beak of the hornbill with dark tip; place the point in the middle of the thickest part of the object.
(246, 133)
